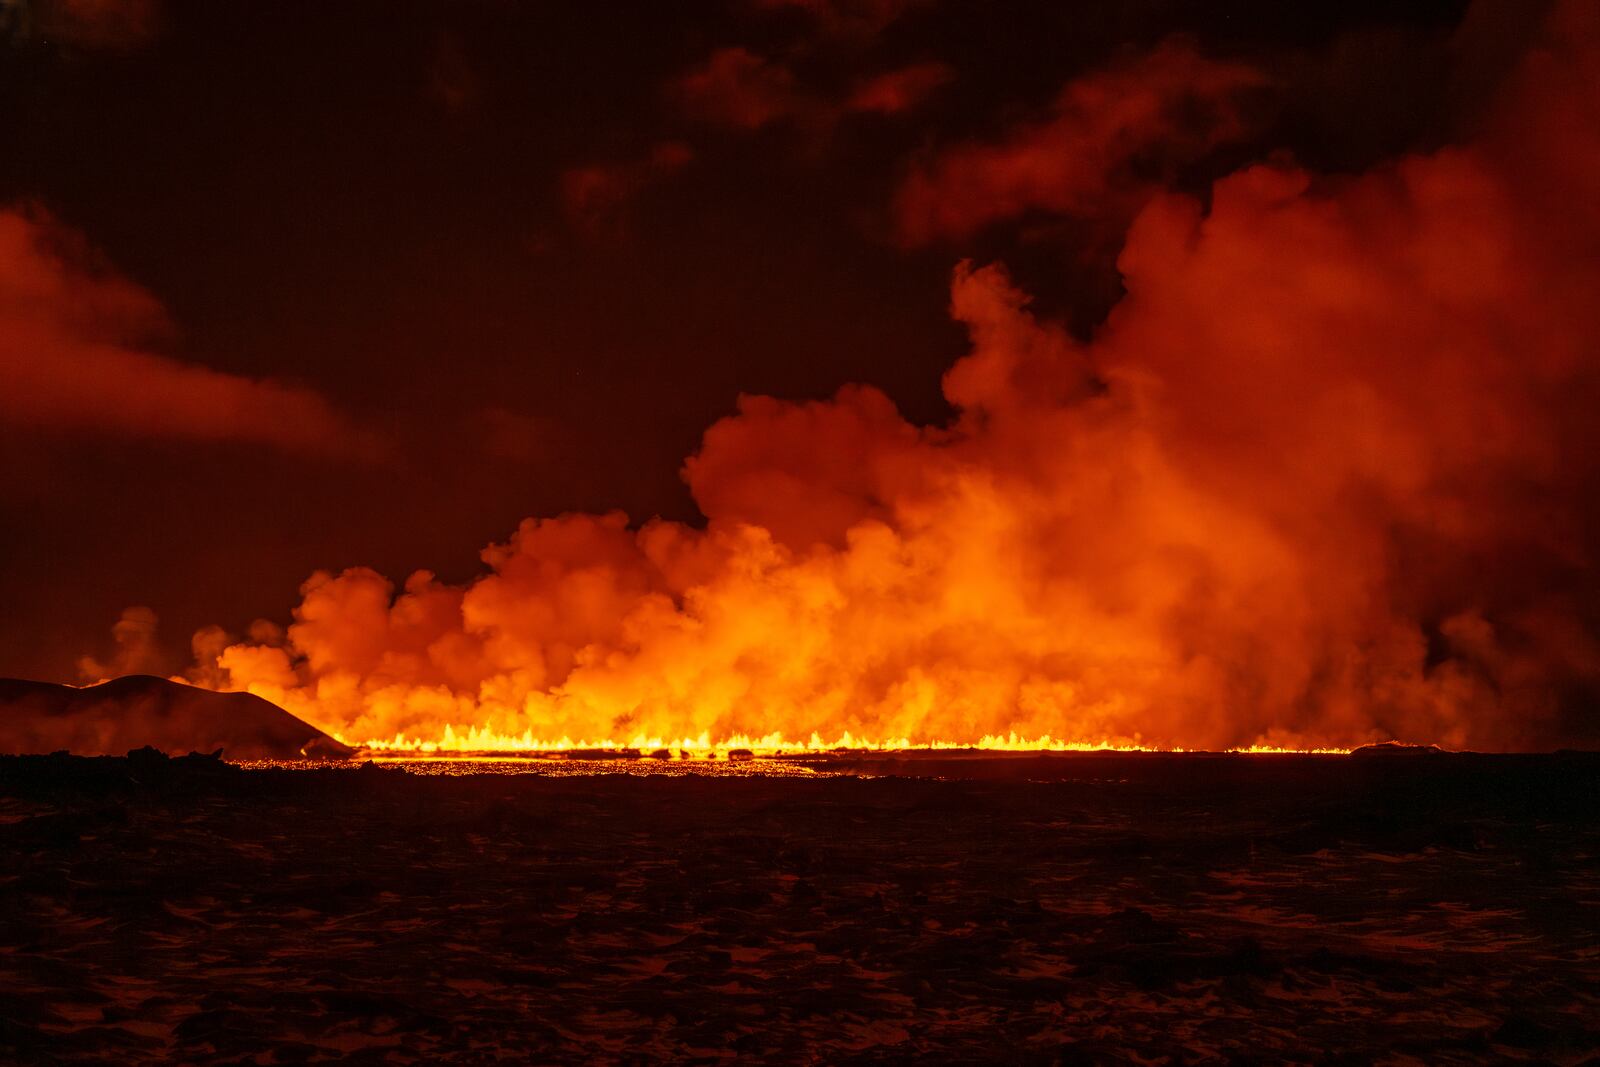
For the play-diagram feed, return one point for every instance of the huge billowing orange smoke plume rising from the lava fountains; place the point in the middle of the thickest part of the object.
(1324, 478)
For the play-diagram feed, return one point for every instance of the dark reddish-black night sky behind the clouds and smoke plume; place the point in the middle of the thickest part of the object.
(529, 263)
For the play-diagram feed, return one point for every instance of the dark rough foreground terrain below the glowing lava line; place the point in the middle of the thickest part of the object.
(1132, 909)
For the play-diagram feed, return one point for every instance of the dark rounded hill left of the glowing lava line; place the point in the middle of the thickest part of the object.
(142, 711)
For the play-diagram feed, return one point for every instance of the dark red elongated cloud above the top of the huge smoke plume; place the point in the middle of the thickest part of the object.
(1100, 151)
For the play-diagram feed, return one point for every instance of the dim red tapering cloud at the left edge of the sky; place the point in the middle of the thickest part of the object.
(76, 350)
